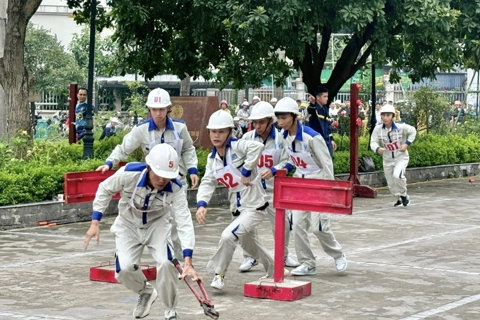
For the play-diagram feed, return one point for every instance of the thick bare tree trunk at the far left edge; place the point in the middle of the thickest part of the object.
(13, 74)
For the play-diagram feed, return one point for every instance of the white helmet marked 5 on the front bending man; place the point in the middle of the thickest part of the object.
(163, 160)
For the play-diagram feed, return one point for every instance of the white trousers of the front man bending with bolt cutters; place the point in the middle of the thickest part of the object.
(130, 242)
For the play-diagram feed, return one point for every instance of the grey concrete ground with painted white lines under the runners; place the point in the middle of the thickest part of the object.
(418, 262)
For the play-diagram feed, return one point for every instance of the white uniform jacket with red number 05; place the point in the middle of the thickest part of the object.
(273, 157)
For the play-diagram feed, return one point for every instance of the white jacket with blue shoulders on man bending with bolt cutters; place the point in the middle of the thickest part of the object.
(140, 205)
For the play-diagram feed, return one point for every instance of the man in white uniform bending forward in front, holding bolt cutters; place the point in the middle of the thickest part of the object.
(148, 192)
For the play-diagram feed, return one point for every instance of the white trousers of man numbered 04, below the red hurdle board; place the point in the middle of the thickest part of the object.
(319, 224)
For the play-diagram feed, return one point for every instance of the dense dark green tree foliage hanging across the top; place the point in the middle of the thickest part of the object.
(245, 40)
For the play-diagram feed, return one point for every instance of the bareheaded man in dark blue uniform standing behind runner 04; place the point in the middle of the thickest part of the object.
(319, 117)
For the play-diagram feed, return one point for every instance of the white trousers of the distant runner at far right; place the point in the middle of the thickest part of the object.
(394, 171)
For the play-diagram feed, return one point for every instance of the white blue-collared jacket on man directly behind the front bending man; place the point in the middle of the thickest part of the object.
(146, 135)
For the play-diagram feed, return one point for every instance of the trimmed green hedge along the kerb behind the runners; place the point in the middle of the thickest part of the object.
(39, 175)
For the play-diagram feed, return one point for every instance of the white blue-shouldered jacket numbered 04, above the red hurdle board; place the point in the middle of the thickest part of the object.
(308, 153)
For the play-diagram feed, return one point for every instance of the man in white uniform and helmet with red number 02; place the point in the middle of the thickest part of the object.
(232, 162)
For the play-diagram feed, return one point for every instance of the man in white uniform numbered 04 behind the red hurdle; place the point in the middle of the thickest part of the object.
(308, 153)
